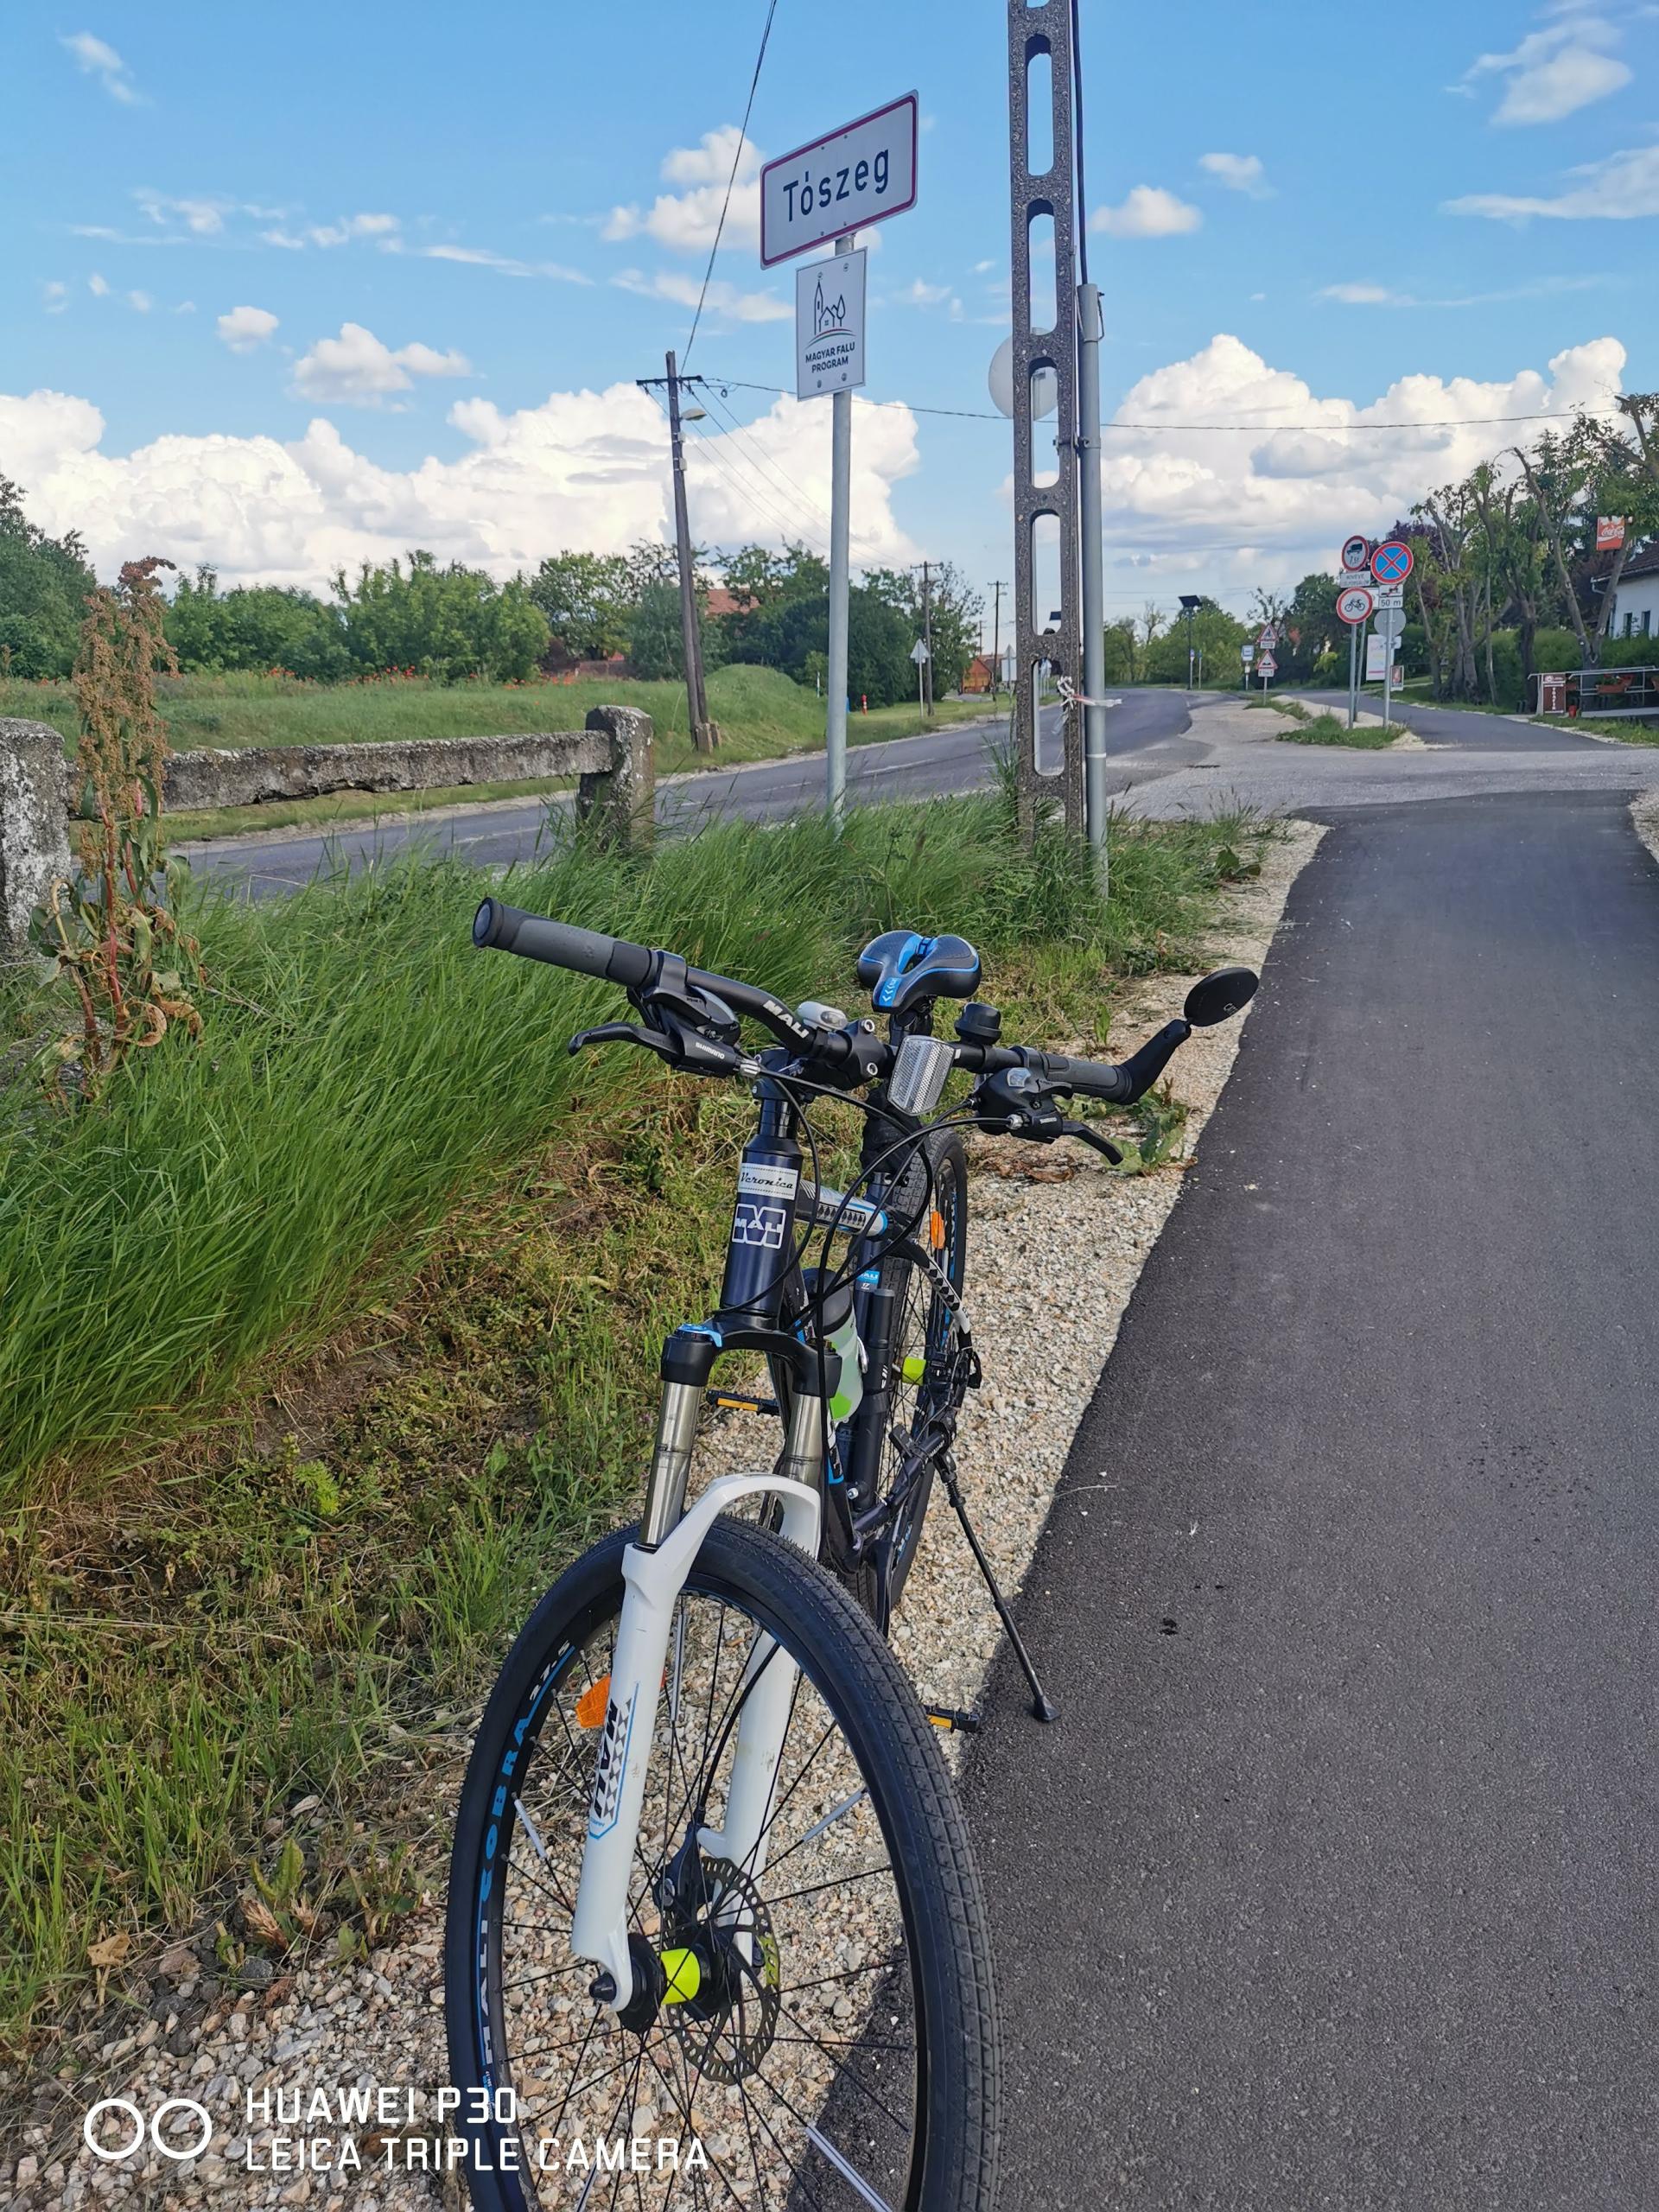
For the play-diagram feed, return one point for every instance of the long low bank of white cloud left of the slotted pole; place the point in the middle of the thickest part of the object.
(581, 470)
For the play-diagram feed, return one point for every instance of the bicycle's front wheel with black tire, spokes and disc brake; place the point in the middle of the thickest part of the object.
(817, 2025)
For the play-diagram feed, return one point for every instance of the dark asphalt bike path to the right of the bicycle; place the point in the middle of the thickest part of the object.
(1335, 1884)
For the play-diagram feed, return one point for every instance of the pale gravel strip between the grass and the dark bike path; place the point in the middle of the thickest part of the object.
(1043, 1227)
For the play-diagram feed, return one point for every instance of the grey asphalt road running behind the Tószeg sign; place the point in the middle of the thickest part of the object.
(1149, 727)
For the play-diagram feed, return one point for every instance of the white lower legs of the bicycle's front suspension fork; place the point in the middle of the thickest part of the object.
(654, 1585)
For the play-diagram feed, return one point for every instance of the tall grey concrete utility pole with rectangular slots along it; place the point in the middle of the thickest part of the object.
(1052, 194)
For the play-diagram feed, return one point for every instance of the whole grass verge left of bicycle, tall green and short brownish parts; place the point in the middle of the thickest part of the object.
(333, 1339)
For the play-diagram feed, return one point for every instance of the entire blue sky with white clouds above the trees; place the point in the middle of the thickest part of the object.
(298, 286)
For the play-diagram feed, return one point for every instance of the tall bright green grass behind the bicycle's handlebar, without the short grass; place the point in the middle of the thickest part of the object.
(366, 1067)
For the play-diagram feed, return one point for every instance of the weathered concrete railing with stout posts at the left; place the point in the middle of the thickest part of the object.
(612, 762)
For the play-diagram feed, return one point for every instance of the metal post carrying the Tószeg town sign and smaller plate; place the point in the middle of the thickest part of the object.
(824, 191)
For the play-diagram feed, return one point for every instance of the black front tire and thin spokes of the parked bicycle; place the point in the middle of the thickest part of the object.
(793, 1600)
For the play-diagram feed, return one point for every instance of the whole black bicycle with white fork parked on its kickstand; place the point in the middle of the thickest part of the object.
(705, 1702)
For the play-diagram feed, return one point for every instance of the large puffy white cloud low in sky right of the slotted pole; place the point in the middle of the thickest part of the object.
(1273, 497)
